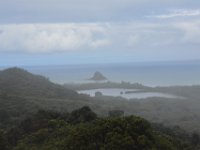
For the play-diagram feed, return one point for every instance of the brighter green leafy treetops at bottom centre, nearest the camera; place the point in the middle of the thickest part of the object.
(125, 133)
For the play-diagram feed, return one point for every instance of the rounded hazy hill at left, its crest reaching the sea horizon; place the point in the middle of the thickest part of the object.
(16, 81)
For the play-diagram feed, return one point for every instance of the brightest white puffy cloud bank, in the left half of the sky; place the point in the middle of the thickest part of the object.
(45, 38)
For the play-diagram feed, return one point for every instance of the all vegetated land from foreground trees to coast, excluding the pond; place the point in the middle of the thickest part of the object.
(25, 122)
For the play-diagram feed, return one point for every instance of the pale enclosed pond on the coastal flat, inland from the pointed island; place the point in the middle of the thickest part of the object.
(118, 92)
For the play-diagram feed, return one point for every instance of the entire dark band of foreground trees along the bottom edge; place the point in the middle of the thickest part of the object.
(82, 129)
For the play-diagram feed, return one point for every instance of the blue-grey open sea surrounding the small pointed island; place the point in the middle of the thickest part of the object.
(147, 74)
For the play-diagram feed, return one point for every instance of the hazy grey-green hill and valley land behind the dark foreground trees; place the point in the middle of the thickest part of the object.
(23, 93)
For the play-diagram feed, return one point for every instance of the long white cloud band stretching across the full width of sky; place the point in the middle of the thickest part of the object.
(141, 36)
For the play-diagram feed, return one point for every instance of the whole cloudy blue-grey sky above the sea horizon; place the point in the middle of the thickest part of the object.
(40, 32)
